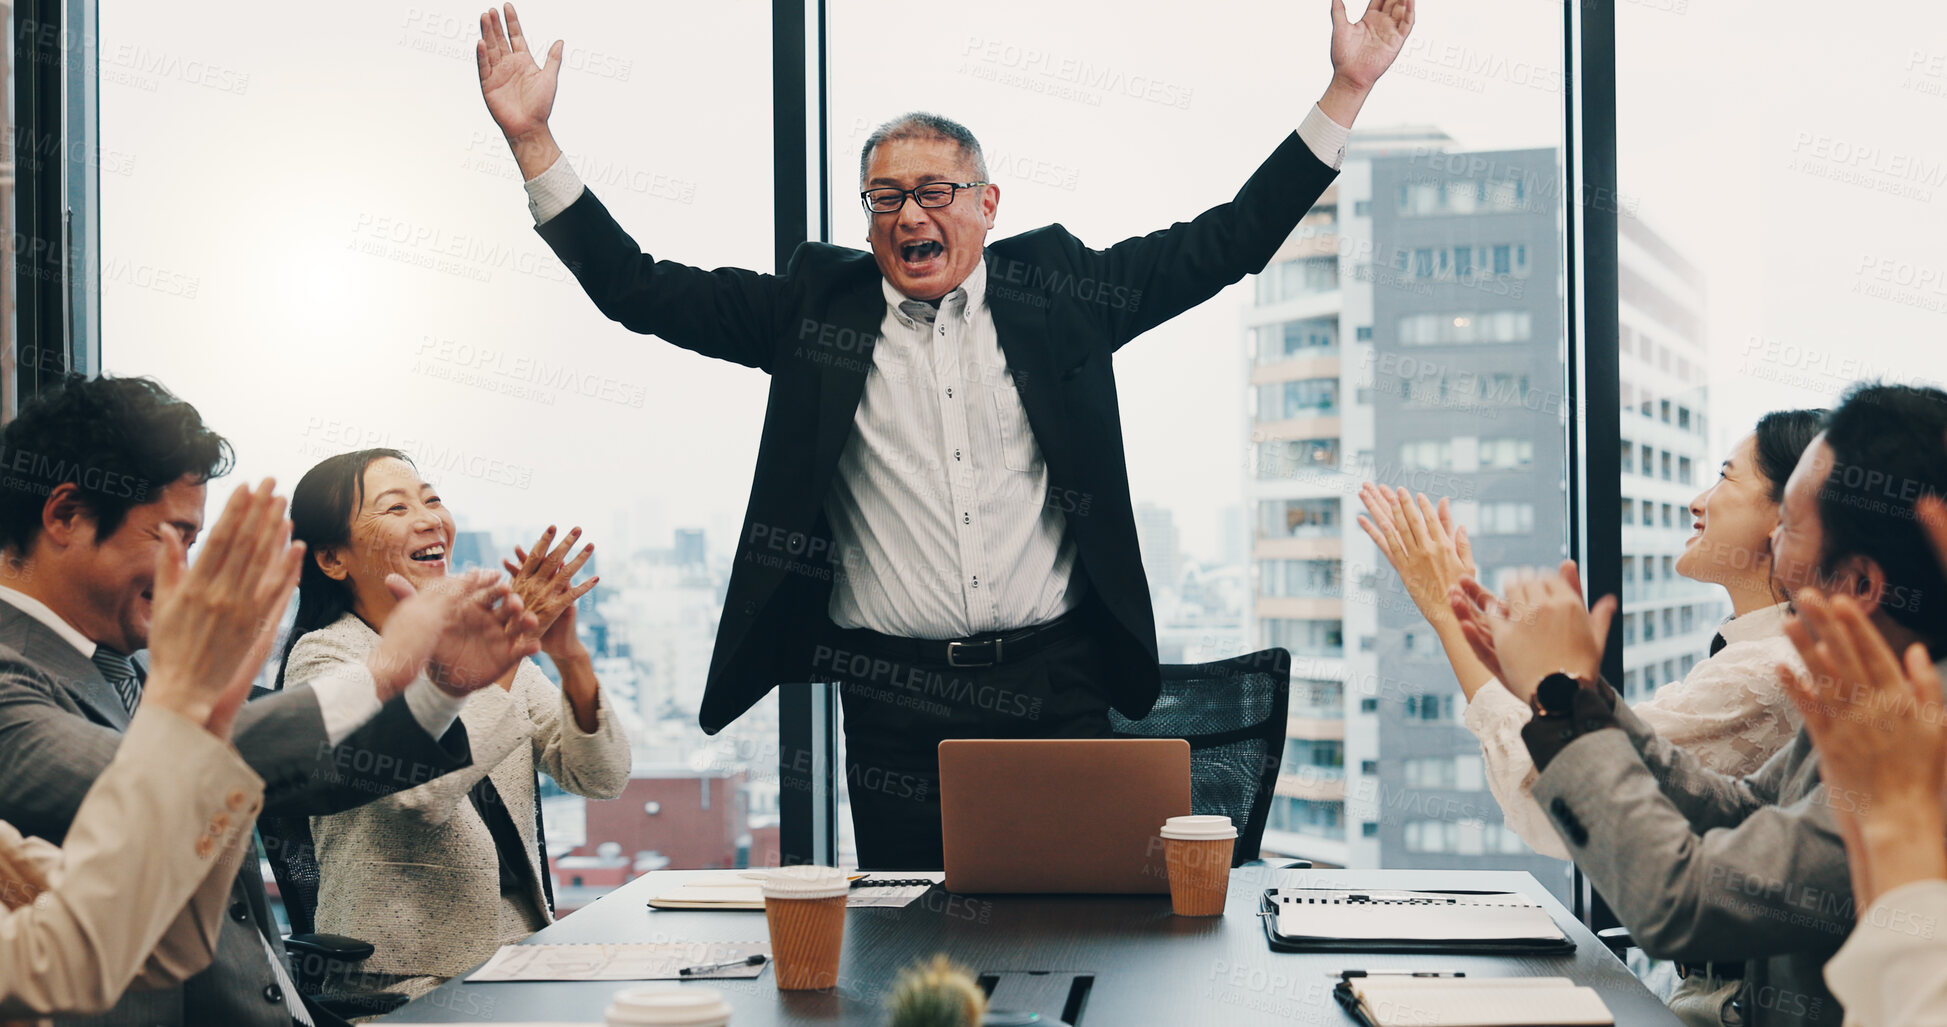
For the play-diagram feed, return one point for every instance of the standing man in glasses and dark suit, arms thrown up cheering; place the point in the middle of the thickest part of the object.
(939, 517)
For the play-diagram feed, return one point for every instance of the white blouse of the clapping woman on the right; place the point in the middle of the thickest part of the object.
(1730, 712)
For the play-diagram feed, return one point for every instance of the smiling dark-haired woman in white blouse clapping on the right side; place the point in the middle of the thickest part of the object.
(1728, 710)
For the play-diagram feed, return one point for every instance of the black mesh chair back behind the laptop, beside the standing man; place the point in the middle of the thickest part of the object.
(1233, 716)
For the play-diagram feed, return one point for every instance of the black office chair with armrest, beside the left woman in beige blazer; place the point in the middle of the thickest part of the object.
(287, 841)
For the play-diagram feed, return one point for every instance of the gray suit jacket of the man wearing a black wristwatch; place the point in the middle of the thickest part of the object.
(1712, 868)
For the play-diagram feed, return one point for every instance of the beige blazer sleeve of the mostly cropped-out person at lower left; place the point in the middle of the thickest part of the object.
(137, 895)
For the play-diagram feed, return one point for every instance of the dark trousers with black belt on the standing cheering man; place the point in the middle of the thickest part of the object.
(899, 712)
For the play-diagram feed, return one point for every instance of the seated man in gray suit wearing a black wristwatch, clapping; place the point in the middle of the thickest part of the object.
(1745, 876)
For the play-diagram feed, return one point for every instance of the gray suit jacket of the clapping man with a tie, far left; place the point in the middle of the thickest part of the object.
(59, 728)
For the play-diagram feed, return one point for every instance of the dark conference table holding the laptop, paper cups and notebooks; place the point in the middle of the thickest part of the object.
(1138, 964)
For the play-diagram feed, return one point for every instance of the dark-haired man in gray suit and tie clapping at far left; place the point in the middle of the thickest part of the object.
(91, 480)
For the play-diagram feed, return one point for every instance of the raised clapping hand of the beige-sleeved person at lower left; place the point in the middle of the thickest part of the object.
(215, 621)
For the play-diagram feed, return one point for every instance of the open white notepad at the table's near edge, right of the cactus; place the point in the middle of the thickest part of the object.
(1473, 1003)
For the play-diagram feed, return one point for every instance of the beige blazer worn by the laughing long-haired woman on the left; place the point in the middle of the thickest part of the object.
(418, 874)
